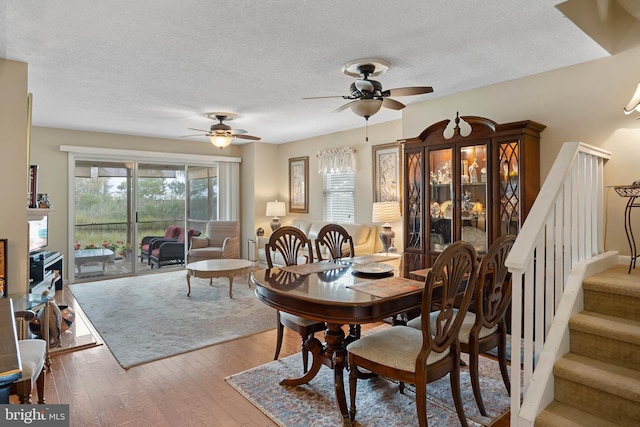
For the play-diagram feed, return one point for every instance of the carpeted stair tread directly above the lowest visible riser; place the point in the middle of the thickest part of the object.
(612, 379)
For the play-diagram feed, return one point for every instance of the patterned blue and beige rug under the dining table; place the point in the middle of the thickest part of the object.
(378, 401)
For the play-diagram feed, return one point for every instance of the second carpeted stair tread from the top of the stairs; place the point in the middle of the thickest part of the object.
(615, 328)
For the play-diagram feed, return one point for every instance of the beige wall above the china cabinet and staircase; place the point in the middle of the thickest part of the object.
(579, 103)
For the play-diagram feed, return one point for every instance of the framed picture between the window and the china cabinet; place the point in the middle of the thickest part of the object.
(387, 176)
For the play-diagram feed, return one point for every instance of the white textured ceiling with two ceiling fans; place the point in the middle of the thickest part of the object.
(155, 67)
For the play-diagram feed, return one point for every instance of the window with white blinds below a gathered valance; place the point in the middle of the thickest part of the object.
(338, 197)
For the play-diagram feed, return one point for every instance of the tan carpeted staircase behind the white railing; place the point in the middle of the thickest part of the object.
(598, 382)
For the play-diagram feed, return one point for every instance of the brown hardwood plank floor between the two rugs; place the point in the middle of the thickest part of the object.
(184, 390)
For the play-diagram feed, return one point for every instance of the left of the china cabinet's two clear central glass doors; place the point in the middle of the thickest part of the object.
(440, 202)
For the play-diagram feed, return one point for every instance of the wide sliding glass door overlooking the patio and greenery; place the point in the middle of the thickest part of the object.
(119, 204)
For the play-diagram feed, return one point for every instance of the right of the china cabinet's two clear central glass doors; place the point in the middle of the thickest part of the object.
(473, 196)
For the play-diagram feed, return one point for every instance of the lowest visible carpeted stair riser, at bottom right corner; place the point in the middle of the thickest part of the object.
(596, 402)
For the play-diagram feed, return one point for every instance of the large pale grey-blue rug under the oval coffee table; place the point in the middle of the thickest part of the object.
(150, 317)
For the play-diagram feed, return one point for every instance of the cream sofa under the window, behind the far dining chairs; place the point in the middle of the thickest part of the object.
(364, 239)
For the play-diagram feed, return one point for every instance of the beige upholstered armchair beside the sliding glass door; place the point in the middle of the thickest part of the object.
(221, 240)
